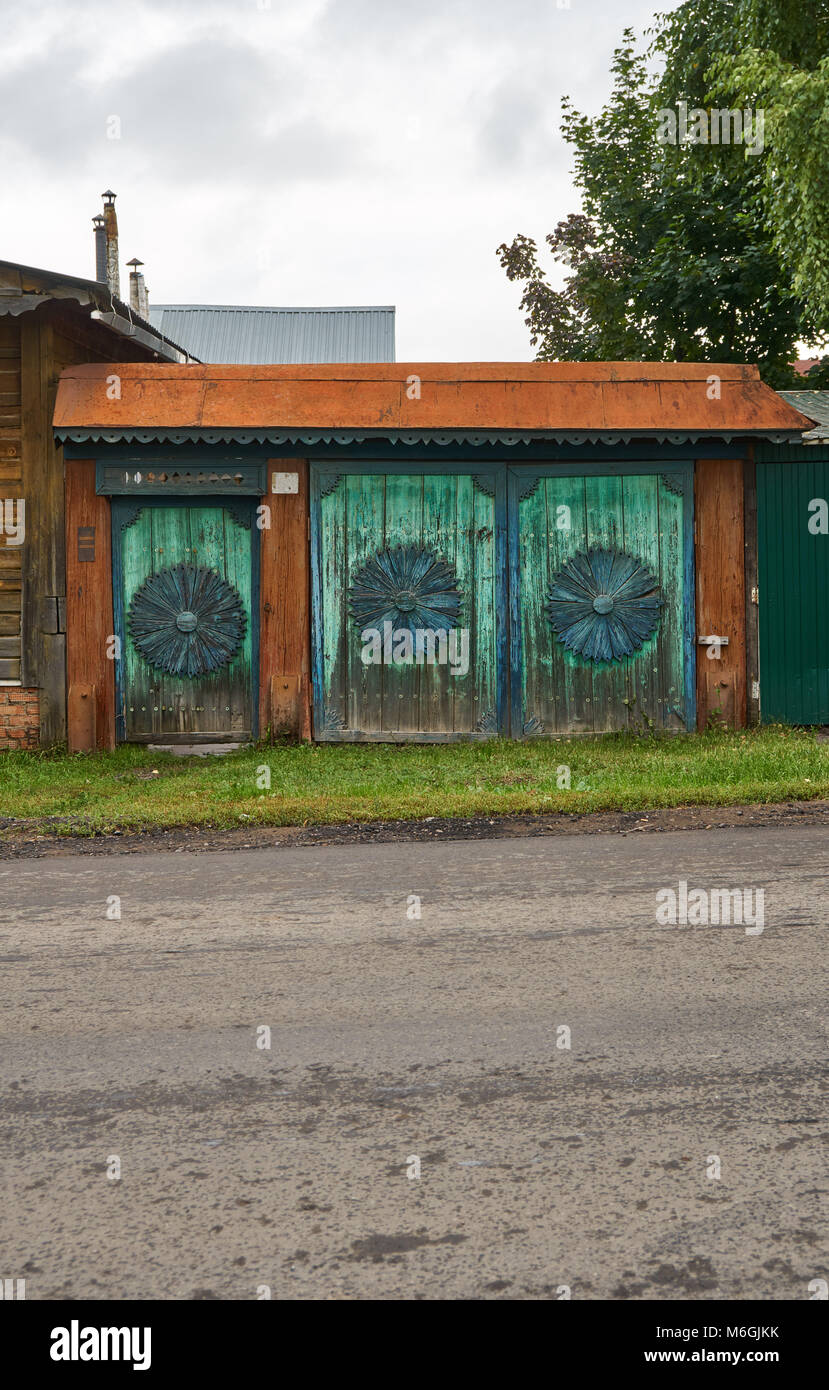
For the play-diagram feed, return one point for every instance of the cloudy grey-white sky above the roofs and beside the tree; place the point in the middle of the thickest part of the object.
(304, 152)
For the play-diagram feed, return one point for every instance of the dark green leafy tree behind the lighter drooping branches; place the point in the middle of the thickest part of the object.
(671, 256)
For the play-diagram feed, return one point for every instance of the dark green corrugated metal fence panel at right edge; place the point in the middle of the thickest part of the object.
(794, 571)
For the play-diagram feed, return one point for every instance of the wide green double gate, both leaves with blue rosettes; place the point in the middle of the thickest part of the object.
(575, 589)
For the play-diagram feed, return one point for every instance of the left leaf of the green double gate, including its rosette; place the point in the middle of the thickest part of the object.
(410, 604)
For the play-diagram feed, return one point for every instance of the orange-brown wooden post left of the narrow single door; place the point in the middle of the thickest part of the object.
(90, 601)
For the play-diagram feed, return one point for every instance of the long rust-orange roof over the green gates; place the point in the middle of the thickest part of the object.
(392, 398)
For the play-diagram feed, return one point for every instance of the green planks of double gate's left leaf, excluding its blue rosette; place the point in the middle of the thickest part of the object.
(362, 518)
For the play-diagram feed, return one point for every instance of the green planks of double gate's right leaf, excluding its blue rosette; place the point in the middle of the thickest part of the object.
(558, 692)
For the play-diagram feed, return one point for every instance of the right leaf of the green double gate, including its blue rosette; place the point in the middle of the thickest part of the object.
(603, 601)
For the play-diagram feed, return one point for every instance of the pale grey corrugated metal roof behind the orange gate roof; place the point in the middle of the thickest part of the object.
(250, 334)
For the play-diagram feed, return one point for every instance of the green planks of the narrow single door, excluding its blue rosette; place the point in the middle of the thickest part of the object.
(151, 537)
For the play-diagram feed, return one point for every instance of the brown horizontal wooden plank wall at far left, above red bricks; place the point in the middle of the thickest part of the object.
(12, 489)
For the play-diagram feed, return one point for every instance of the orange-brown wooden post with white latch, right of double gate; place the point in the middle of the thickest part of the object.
(721, 590)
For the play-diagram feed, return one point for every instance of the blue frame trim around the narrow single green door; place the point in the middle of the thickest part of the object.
(122, 511)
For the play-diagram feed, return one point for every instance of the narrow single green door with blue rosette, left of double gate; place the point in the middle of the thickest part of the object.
(186, 600)
